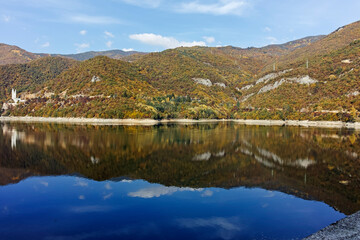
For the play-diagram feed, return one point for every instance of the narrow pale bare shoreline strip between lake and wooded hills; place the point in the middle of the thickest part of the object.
(101, 121)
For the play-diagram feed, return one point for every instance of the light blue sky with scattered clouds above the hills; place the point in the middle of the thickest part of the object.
(70, 26)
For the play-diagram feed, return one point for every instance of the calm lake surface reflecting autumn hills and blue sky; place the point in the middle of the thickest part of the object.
(218, 181)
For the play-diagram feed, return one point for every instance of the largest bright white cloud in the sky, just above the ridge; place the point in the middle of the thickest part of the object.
(165, 42)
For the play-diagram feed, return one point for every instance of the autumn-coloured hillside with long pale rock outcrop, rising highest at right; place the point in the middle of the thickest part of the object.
(320, 81)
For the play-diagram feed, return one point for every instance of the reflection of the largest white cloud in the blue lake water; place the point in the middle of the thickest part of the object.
(159, 191)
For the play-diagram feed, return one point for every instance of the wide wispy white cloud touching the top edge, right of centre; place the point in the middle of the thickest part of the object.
(221, 7)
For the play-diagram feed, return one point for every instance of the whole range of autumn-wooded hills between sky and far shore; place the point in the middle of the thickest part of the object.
(314, 78)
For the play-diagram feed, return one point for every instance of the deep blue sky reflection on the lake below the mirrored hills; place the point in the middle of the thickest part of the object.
(76, 208)
